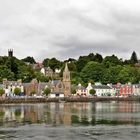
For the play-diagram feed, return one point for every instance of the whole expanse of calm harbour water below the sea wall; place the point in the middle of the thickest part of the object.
(68, 121)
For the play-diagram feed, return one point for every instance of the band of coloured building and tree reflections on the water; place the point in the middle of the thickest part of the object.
(77, 114)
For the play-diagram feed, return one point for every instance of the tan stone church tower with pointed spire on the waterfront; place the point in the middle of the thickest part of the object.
(66, 81)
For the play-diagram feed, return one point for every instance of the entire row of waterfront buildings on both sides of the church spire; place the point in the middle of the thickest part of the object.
(57, 88)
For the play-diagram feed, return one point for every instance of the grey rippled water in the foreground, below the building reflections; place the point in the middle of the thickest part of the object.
(40, 132)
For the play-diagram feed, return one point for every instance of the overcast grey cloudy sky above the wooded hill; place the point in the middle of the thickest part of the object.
(69, 28)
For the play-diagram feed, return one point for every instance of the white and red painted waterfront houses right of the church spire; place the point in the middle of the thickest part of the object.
(109, 89)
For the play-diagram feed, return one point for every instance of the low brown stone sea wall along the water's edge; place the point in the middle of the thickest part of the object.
(66, 99)
